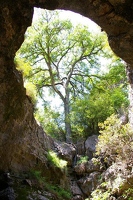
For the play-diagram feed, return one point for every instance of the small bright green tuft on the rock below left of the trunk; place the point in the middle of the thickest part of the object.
(56, 161)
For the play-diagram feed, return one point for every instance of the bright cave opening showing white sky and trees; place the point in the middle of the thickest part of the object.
(50, 108)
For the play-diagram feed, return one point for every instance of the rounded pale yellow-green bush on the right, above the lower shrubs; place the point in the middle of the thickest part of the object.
(116, 140)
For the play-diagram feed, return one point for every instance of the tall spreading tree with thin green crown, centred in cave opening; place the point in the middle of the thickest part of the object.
(64, 58)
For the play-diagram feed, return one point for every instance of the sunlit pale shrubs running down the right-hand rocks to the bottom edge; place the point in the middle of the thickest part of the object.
(115, 145)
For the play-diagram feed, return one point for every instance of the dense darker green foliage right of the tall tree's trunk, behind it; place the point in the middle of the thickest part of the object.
(107, 95)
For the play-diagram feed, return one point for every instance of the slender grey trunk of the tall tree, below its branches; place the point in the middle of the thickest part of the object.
(67, 117)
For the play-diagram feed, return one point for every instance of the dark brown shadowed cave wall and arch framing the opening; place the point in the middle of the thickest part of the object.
(22, 141)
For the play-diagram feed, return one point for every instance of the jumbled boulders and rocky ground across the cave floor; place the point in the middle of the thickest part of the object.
(85, 177)
